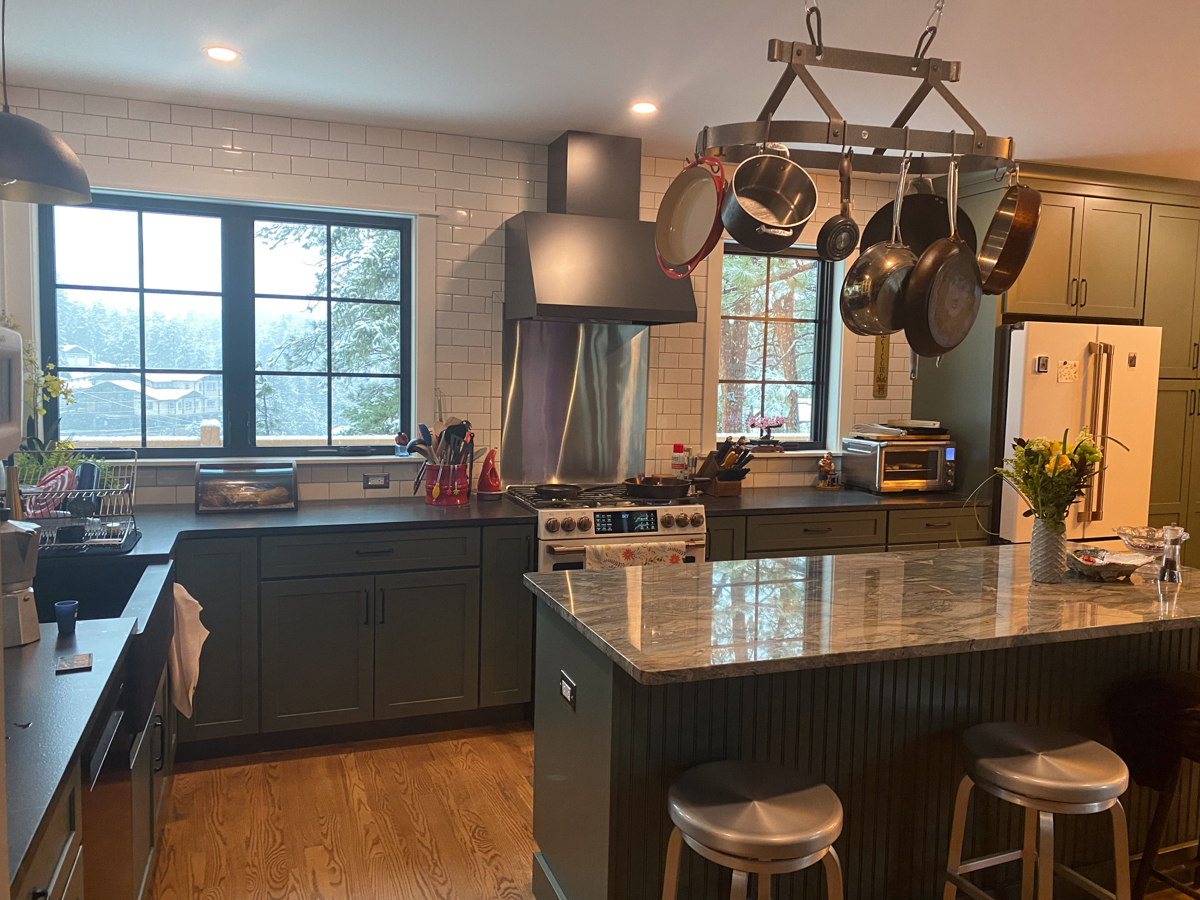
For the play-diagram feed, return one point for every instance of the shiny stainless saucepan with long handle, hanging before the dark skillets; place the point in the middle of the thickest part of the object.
(873, 295)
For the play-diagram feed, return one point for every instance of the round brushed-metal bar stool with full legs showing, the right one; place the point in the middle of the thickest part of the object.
(1045, 771)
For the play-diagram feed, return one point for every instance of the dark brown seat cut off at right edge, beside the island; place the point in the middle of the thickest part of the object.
(1156, 727)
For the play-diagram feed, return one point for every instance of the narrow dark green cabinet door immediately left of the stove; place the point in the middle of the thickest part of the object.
(506, 616)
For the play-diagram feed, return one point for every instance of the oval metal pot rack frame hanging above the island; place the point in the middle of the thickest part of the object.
(975, 149)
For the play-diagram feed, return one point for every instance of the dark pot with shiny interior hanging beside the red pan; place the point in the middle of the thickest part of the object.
(769, 201)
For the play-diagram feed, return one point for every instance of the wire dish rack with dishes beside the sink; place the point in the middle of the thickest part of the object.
(75, 521)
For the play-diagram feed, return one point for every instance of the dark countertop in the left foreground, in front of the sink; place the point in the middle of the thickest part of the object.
(59, 712)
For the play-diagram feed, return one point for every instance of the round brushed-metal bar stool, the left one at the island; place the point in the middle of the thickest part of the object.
(753, 818)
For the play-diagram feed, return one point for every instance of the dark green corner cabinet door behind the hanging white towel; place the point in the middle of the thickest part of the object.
(223, 575)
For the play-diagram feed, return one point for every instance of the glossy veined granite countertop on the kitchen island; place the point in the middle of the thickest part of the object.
(683, 623)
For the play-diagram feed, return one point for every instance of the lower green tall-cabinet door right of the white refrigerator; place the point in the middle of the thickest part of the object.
(1171, 476)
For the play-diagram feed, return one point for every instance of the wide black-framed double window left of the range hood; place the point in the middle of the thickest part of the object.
(193, 328)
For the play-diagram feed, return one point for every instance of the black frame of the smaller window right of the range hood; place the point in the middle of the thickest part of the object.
(823, 349)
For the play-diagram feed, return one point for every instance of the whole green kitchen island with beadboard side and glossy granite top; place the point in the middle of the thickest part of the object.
(862, 670)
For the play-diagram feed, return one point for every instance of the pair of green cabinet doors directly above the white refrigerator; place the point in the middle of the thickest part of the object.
(1089, 260)
